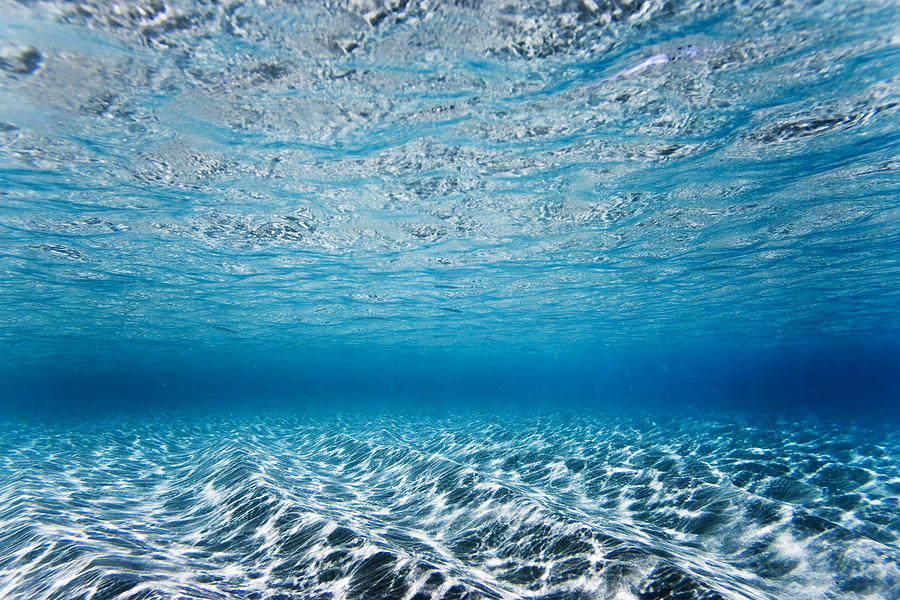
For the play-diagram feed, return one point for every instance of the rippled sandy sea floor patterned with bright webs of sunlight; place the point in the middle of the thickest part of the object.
(514, 505)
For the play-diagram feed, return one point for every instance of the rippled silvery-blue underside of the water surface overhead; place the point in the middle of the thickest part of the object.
(446, 174)
